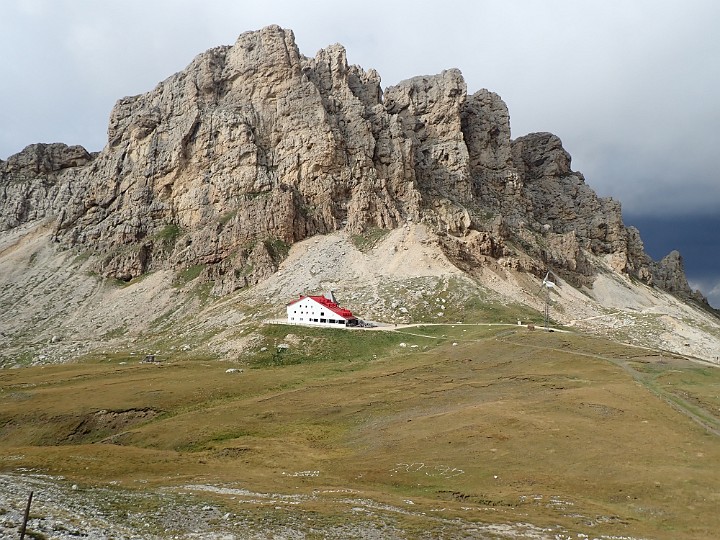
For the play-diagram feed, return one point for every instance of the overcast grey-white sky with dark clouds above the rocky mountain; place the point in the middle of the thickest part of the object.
(630, 86)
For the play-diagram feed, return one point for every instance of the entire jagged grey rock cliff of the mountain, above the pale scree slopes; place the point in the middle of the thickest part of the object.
(253, 147)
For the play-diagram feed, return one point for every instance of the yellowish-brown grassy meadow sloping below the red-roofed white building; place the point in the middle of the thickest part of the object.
(430, 428)
